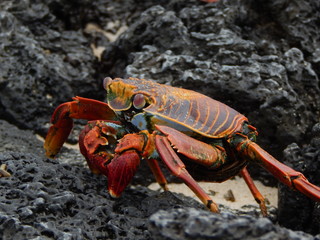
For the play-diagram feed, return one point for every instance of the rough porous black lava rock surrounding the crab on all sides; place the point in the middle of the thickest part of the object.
(260, 57)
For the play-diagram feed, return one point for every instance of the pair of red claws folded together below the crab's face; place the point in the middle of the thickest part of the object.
(118, 161)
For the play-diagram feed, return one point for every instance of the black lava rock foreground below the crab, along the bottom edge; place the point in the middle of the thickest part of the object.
(49, 200)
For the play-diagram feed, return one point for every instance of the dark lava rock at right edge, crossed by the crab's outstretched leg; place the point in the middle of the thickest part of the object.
(296, 210)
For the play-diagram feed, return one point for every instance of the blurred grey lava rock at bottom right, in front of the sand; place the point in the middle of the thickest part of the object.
(196, 224)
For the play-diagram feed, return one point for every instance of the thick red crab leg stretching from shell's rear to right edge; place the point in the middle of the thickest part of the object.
(283, 173)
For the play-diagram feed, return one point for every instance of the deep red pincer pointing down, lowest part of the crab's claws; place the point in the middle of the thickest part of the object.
(121, 170)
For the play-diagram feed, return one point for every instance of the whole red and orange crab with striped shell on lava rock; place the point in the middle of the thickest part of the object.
(196, 137)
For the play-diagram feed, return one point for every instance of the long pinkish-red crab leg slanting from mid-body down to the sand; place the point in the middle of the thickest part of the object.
(176, 166)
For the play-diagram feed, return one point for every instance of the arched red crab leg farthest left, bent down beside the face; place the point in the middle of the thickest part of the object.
(81, 108)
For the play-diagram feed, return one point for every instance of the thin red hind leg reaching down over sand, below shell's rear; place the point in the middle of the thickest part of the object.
(254, 190)
